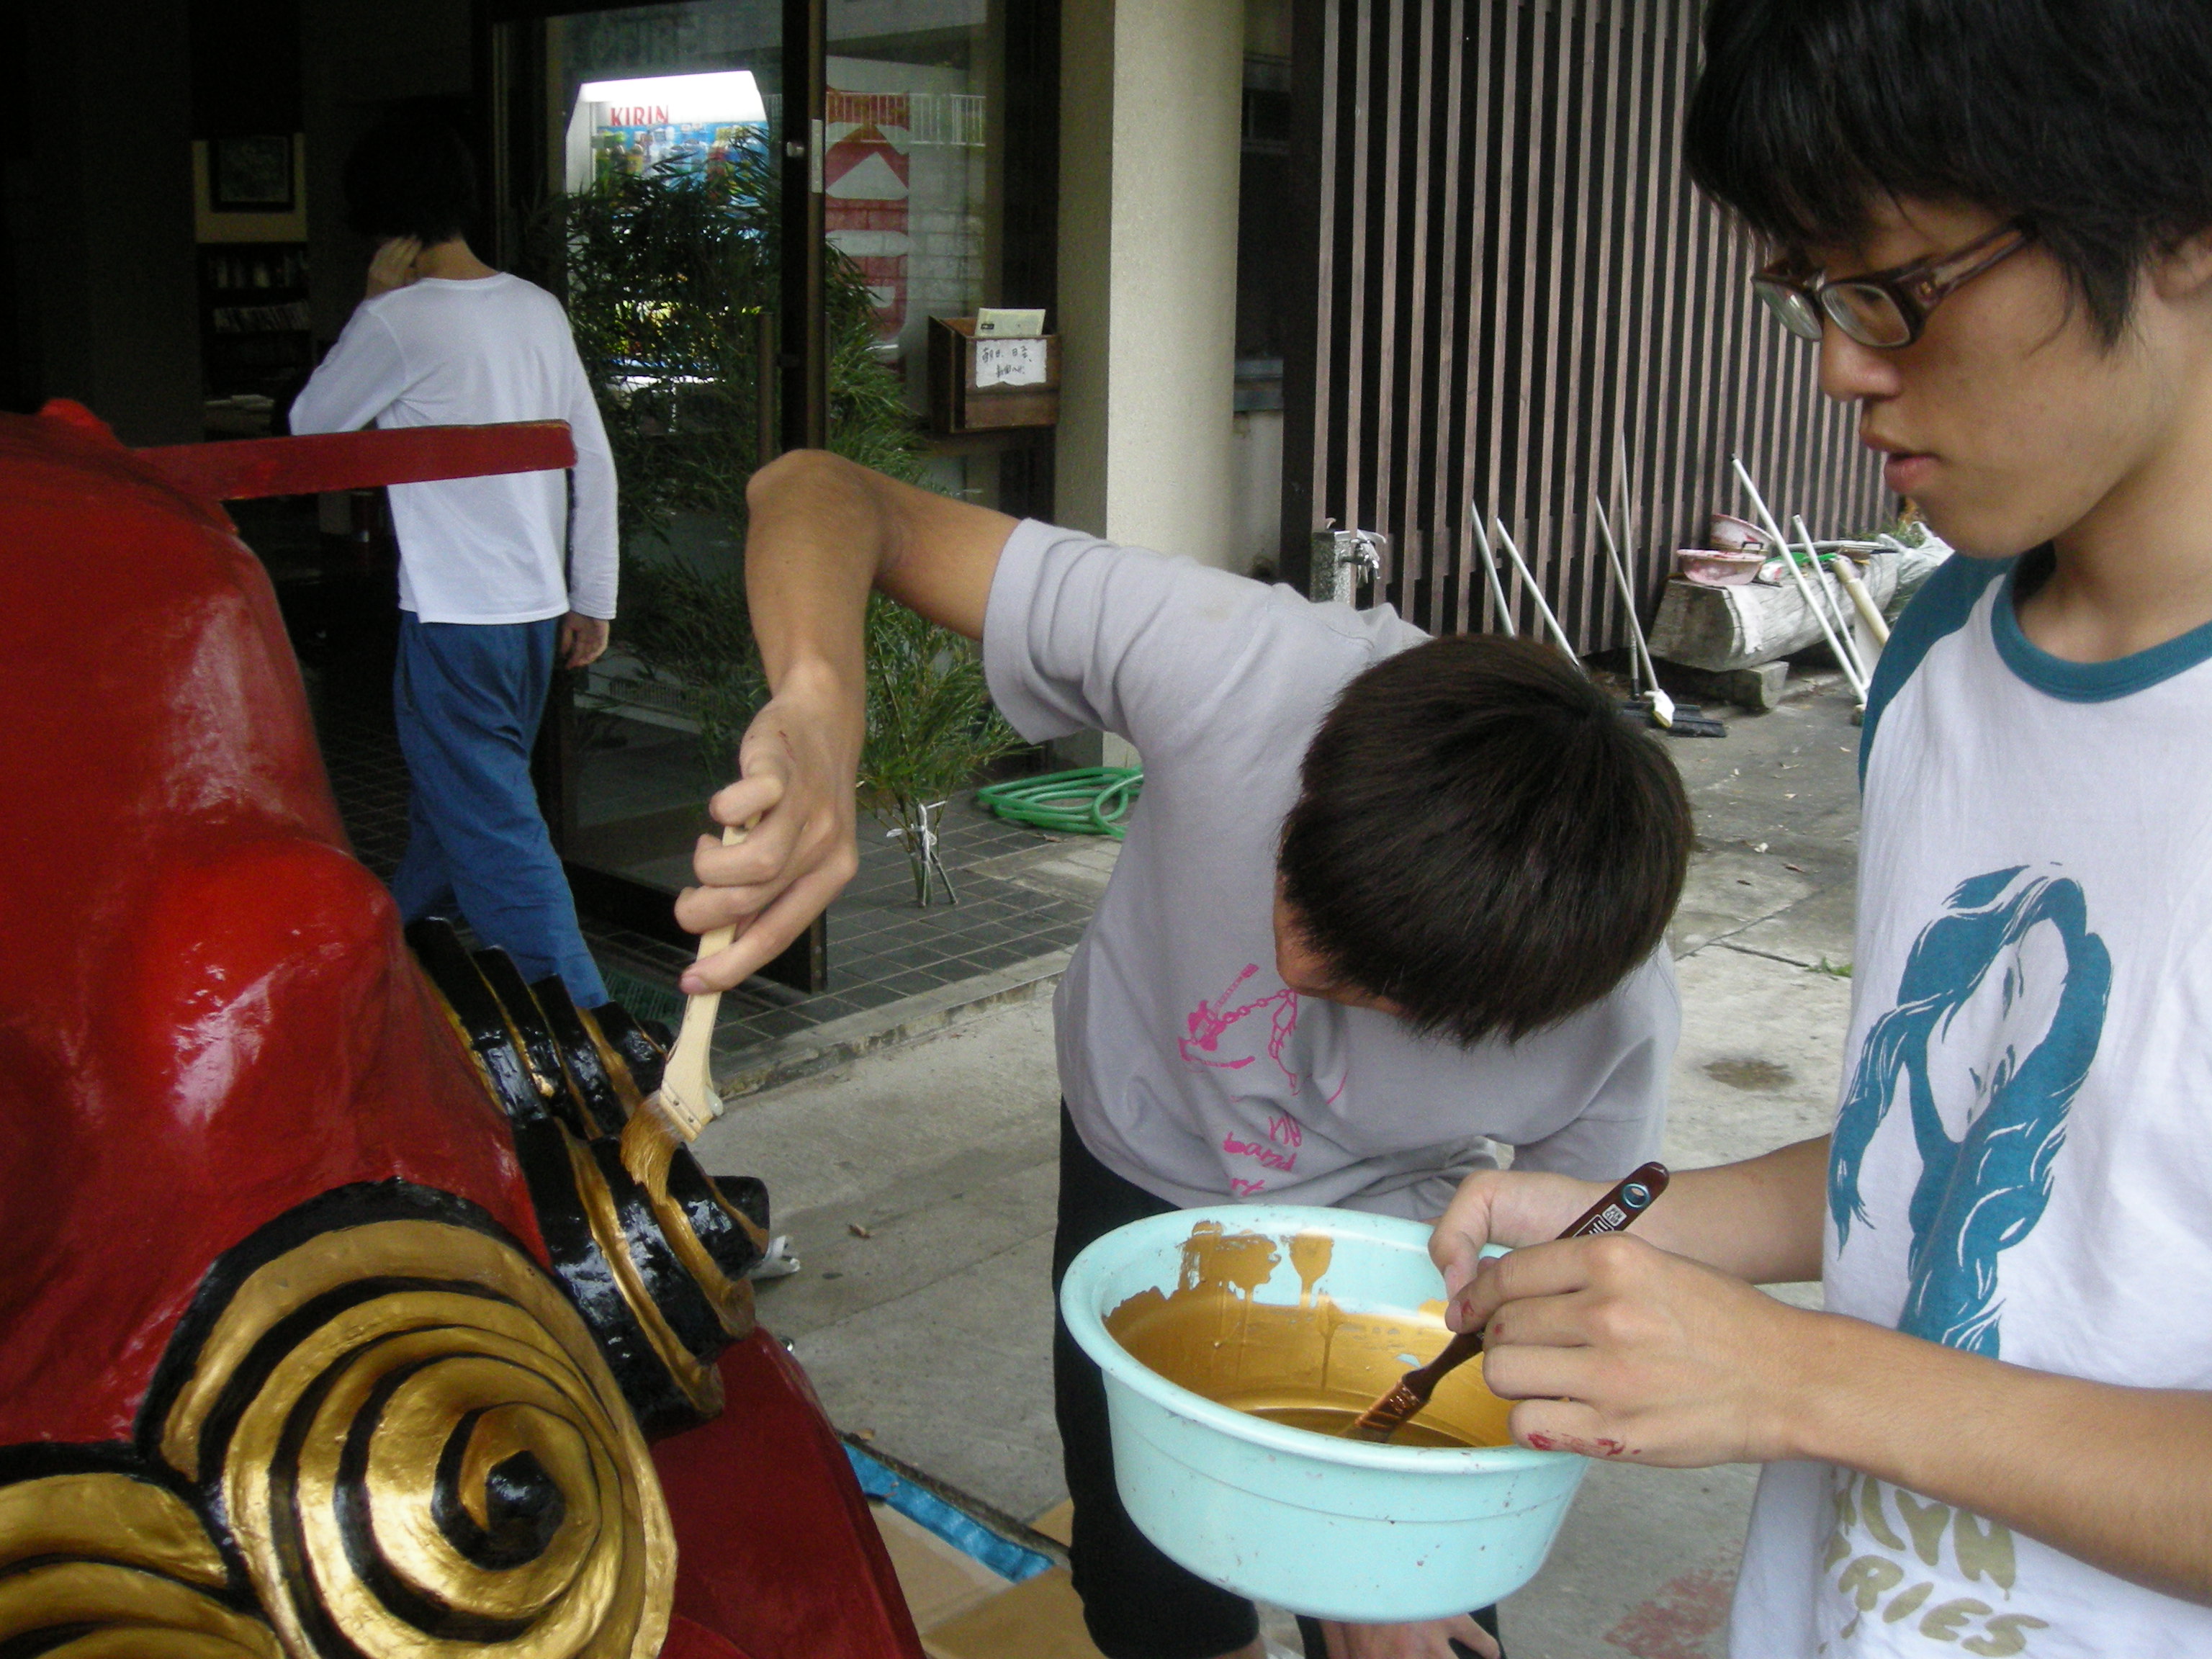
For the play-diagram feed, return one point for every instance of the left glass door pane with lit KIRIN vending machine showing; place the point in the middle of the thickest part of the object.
(647, 178)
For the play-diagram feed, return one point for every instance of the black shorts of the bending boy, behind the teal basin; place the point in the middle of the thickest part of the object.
(1138, 1603)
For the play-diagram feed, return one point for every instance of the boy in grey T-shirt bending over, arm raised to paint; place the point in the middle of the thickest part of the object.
(1386, 906)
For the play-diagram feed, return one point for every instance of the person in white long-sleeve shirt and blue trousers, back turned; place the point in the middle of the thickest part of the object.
(499, 576)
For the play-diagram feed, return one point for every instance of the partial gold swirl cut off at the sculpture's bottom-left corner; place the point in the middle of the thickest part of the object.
(101, 1565)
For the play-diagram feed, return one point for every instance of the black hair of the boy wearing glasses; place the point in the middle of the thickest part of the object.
(2091, 121)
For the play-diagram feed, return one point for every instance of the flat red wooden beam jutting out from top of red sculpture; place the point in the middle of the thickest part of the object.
(247, 468)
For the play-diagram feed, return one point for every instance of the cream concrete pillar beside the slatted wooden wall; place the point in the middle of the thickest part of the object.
(1149, 154)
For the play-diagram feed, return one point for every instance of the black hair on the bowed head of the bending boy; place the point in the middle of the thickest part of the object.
(1481, 839)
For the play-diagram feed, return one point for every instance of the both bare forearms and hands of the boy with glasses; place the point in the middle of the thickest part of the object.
(1653, 1348)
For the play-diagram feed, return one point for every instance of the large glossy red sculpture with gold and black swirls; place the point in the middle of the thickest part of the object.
(340, 1306)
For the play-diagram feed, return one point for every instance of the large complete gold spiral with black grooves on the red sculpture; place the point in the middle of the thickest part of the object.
(421, 1454)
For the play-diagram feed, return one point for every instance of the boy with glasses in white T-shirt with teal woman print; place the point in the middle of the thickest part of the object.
(1996, 220)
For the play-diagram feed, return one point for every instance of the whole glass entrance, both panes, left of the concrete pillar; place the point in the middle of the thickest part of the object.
(753, 211)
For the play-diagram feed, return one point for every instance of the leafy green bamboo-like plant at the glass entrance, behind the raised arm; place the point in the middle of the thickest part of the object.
(671, 280)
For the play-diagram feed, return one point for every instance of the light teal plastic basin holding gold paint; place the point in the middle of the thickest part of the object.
(1337, 1530)
